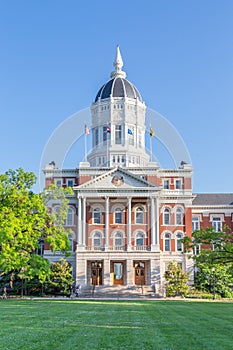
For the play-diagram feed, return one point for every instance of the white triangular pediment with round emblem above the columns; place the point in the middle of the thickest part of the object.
(117, 179)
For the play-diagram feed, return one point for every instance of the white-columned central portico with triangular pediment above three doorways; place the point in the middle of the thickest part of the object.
(117, 227)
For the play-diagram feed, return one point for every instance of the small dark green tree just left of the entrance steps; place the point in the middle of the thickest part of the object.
(60, 280)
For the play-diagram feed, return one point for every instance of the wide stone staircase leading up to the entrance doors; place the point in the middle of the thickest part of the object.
(118, 292)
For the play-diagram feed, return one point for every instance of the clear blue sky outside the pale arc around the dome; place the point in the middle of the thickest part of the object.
(56, 54)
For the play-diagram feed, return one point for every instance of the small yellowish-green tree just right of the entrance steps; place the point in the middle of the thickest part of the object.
(176, 280)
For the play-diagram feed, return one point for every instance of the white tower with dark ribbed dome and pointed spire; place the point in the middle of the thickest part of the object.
(118, 123)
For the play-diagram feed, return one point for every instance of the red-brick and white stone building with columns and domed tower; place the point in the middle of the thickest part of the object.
(127, 215)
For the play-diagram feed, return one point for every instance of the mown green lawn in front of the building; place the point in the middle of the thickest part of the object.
(118, 325)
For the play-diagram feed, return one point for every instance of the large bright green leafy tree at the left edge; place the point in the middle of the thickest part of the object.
(24, 220)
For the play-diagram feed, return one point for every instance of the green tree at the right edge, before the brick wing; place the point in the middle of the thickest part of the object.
(214, 262)
